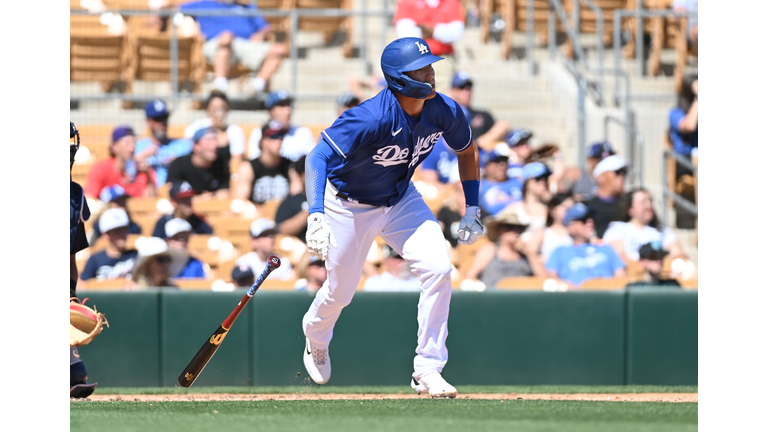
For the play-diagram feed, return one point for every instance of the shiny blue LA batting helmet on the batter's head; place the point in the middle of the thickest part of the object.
(405, 55)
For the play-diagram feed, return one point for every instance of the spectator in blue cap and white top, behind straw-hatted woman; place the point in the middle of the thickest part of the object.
(533, 210)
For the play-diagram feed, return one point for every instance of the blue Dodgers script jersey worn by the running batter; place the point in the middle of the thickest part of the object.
(377, 139)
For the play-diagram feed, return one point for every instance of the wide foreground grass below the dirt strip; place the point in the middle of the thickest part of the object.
(384, 415)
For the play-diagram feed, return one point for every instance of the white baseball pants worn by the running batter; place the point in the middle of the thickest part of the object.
(411, 229)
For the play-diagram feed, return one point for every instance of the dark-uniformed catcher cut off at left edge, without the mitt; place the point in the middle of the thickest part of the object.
(78, 214)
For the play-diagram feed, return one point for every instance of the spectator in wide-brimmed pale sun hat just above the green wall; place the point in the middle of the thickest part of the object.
(156, 264)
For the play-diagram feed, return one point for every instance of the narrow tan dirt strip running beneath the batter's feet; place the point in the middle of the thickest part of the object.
(612, 397)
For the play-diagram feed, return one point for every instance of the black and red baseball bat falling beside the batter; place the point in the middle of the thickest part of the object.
(211, 345)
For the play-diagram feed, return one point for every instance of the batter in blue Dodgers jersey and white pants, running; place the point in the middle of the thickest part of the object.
(358, 182)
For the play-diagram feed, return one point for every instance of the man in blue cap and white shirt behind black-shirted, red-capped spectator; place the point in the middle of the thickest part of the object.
(297, 141)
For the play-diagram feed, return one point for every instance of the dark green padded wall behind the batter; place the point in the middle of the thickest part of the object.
(639, 336)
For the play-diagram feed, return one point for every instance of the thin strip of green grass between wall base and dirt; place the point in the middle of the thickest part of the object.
(310, 389)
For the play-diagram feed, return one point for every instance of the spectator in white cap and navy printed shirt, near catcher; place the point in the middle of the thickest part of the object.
(116, 261)
